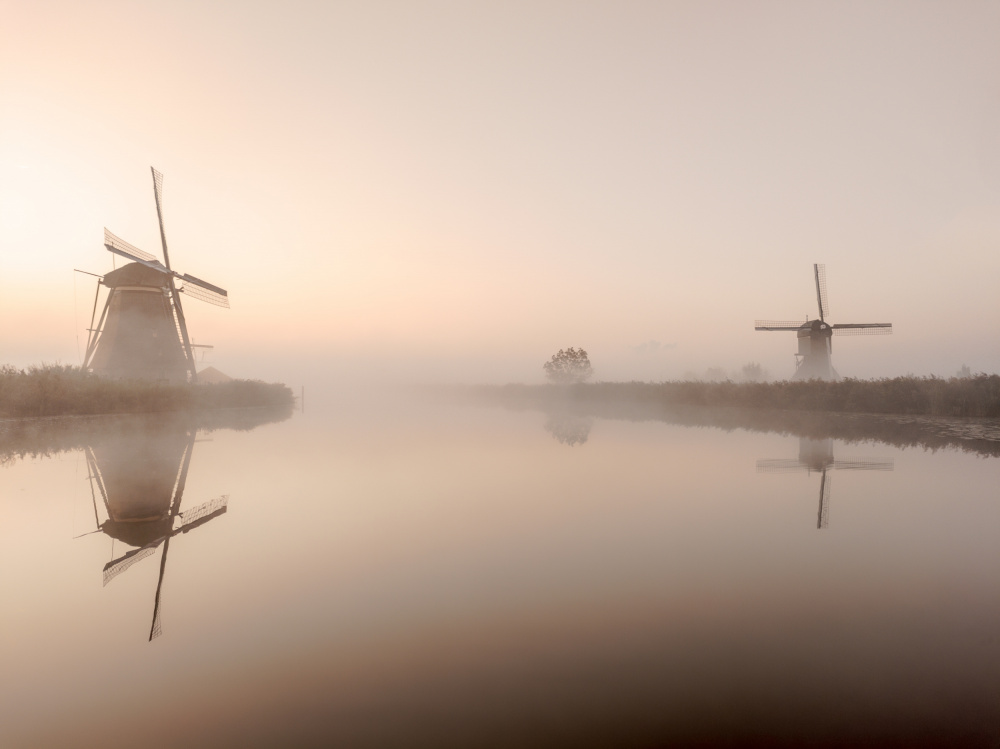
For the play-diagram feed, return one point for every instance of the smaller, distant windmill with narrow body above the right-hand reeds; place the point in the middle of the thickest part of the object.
(815, 336)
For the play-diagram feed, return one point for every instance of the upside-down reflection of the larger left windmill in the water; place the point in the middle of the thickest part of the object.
(140, 476)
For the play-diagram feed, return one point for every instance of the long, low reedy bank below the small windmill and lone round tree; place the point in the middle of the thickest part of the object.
(977, 396)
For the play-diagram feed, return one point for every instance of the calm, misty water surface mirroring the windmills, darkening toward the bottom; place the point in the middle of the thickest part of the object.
(434, 575)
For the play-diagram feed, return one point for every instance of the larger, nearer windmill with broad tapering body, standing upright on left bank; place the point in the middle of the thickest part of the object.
(142, 332)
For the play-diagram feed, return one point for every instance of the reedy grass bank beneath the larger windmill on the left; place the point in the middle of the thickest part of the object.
(58, 390)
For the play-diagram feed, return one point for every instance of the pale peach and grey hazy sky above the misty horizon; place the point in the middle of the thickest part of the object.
(459, 189)
